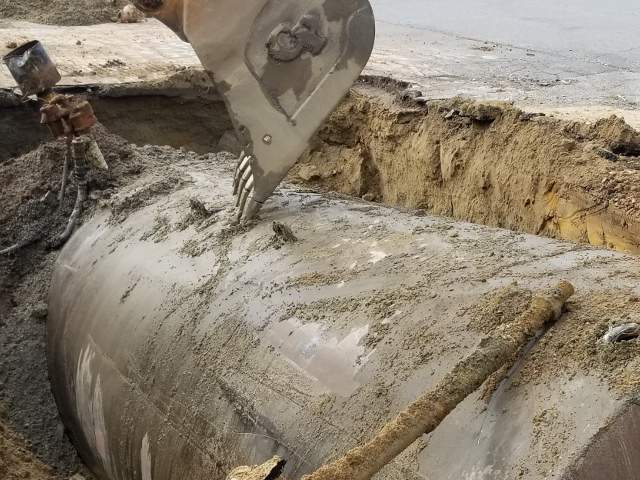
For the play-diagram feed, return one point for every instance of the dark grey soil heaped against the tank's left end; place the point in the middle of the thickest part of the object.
(25, 397)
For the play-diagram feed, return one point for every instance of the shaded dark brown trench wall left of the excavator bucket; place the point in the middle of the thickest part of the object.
(183, 111)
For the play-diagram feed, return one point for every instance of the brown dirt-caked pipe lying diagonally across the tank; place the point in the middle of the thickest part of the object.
(426, 413)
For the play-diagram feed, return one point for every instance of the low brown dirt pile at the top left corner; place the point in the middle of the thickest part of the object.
(61, 12)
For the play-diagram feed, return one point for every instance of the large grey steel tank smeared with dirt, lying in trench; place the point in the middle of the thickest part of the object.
(182, 346)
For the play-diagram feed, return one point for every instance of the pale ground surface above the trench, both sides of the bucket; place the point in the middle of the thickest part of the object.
(574, 58)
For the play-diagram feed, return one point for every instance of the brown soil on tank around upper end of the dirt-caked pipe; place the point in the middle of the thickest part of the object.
(575, 338)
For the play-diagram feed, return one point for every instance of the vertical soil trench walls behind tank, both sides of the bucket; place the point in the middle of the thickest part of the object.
(489, 164)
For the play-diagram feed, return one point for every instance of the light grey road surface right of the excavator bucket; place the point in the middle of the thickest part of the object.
(567, 54)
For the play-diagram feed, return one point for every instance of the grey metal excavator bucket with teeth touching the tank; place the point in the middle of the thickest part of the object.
(282, 66)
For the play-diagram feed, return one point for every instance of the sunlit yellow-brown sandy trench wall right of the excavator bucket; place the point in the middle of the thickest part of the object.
(486, 163)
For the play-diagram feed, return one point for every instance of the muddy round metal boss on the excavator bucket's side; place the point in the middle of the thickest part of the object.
(287, 44)
